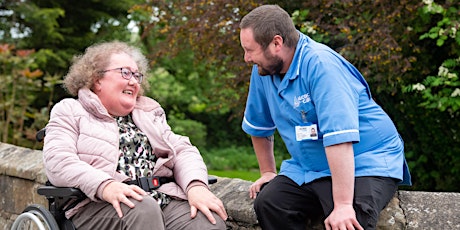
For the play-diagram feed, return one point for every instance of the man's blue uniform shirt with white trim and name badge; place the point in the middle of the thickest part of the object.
(323, 90)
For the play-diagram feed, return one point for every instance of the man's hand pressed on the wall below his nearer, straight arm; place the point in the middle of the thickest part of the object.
(342, 218)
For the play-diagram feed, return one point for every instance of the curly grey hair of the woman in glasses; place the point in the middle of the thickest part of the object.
(86, 68)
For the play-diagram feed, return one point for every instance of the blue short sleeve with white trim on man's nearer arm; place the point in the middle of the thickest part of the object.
(336, 98)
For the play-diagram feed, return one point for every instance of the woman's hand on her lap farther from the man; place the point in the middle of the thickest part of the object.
(117, 192)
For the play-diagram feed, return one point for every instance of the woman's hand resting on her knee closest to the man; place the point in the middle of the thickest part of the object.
(200, 198)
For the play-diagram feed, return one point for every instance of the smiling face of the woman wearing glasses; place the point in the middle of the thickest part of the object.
(117, 94)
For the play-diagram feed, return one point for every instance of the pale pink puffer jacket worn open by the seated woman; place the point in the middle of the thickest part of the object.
(82, 141)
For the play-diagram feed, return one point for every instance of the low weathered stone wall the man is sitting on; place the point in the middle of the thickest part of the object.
(21, 173)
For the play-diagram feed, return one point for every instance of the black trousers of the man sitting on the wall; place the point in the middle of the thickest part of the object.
(282, 204)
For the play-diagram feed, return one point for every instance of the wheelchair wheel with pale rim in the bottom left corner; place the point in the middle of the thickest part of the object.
(35, 217)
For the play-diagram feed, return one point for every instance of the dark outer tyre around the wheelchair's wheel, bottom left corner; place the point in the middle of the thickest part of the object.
(43, 215)
